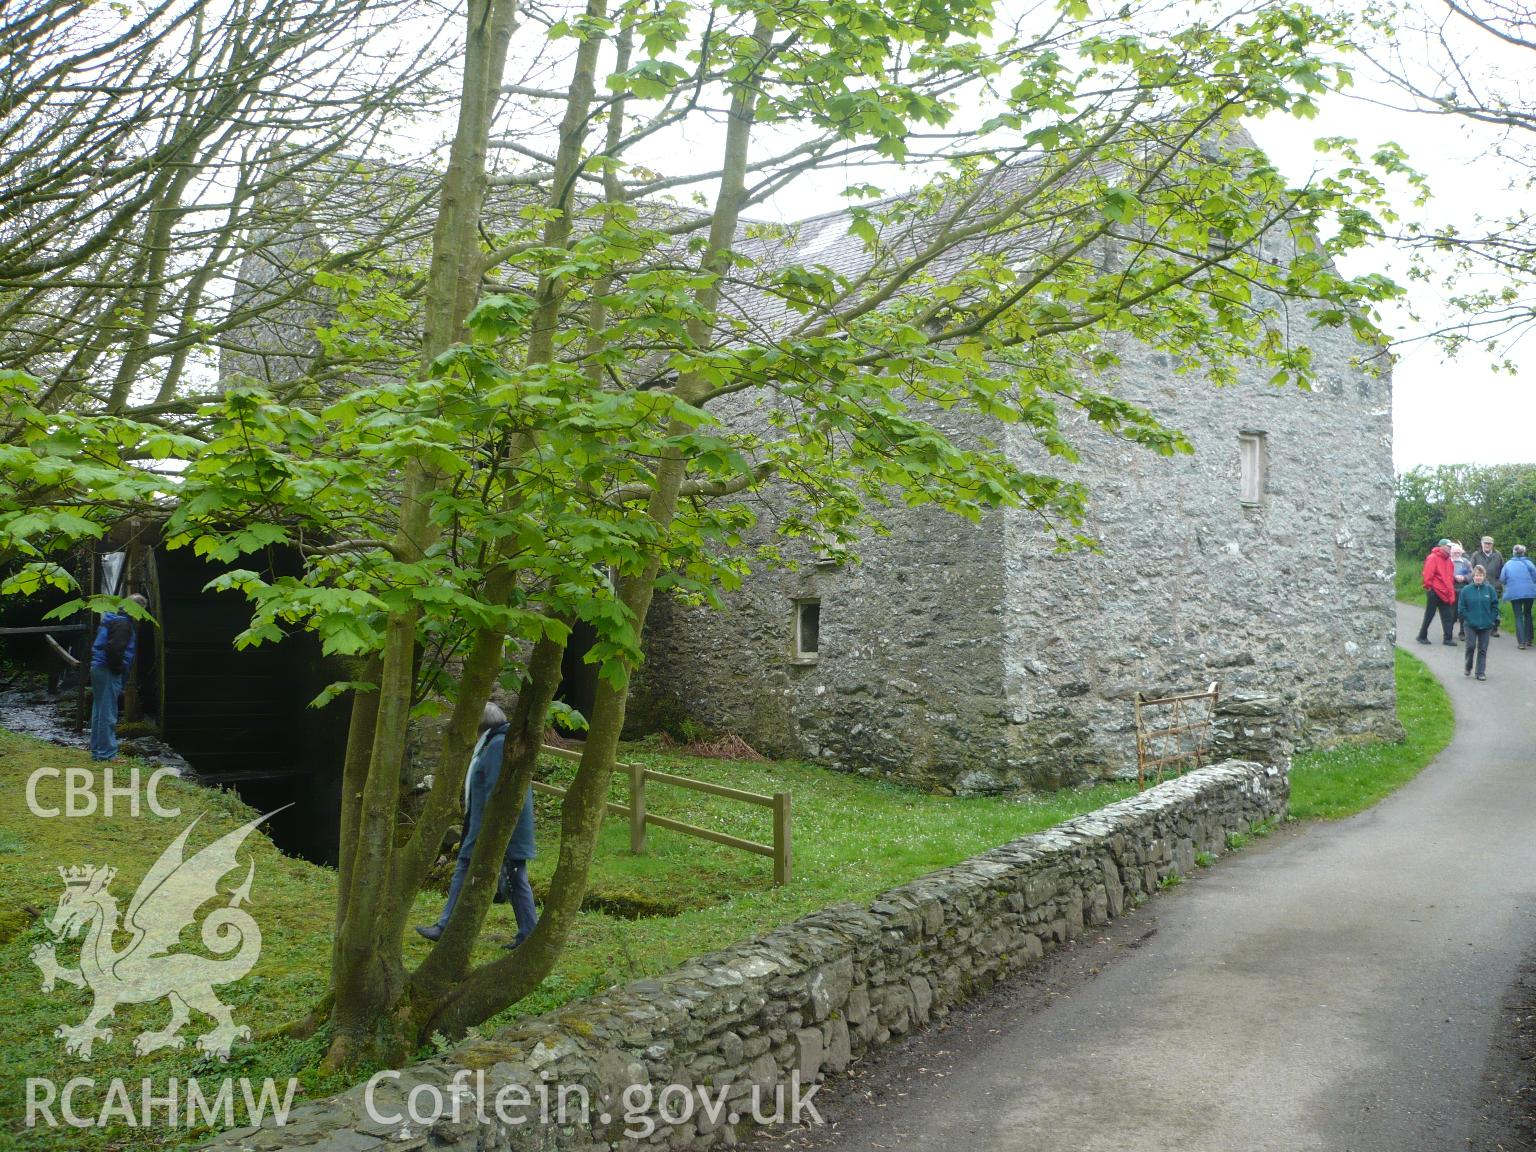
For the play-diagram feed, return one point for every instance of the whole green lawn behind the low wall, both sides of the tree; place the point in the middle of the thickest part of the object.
(853, 838)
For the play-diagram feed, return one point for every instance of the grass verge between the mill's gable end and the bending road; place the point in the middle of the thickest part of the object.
(1339, 783)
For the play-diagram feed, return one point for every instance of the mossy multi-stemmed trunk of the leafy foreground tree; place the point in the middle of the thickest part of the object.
(376, 1010)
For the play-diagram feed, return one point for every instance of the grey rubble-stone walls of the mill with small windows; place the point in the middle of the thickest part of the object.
(981, 658)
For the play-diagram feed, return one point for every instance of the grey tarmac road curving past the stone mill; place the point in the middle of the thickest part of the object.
(1332, 988)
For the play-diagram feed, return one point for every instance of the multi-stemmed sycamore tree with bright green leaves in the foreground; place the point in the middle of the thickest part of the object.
(620, 357)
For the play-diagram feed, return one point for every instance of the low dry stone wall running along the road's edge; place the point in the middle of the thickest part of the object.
(792, 1007)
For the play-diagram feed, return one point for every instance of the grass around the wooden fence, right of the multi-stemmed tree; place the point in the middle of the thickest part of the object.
(853, 839)
